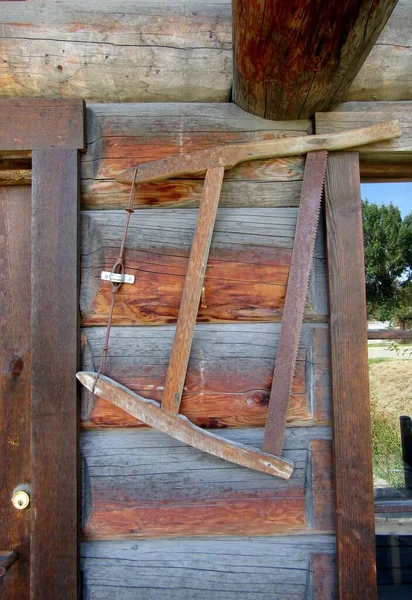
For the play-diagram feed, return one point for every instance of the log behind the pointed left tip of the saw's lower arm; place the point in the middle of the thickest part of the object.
(229, 375)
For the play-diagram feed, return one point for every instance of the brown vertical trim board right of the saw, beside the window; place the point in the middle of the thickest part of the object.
(355, 526)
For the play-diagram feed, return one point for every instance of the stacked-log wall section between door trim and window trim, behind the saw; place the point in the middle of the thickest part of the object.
(156, 513)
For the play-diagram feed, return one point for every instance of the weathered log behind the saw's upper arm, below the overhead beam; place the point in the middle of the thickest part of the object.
(120, 136)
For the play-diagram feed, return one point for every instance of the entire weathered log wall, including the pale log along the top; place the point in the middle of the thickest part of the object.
(160, 519)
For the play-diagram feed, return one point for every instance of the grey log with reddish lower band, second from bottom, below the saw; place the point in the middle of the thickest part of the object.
(141, 484)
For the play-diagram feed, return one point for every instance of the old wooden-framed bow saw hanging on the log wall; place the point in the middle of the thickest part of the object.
(214, 161)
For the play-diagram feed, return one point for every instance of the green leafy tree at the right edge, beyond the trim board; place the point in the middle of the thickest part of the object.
(388, 262)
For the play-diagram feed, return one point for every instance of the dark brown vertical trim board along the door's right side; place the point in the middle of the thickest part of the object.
(54, 406)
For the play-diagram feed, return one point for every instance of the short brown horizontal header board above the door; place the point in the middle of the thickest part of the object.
(53, 123)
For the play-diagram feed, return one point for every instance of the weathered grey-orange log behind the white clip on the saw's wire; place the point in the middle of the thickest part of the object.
(246, 275)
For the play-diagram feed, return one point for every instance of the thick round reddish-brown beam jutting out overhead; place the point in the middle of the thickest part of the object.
(295, 57)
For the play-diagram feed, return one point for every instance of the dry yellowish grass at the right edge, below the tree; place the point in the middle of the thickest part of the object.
(391, 396)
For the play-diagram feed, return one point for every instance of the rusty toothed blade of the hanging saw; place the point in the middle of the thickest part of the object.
(296, 294)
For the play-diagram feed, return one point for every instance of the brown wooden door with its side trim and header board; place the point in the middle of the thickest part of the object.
(39, 144)
